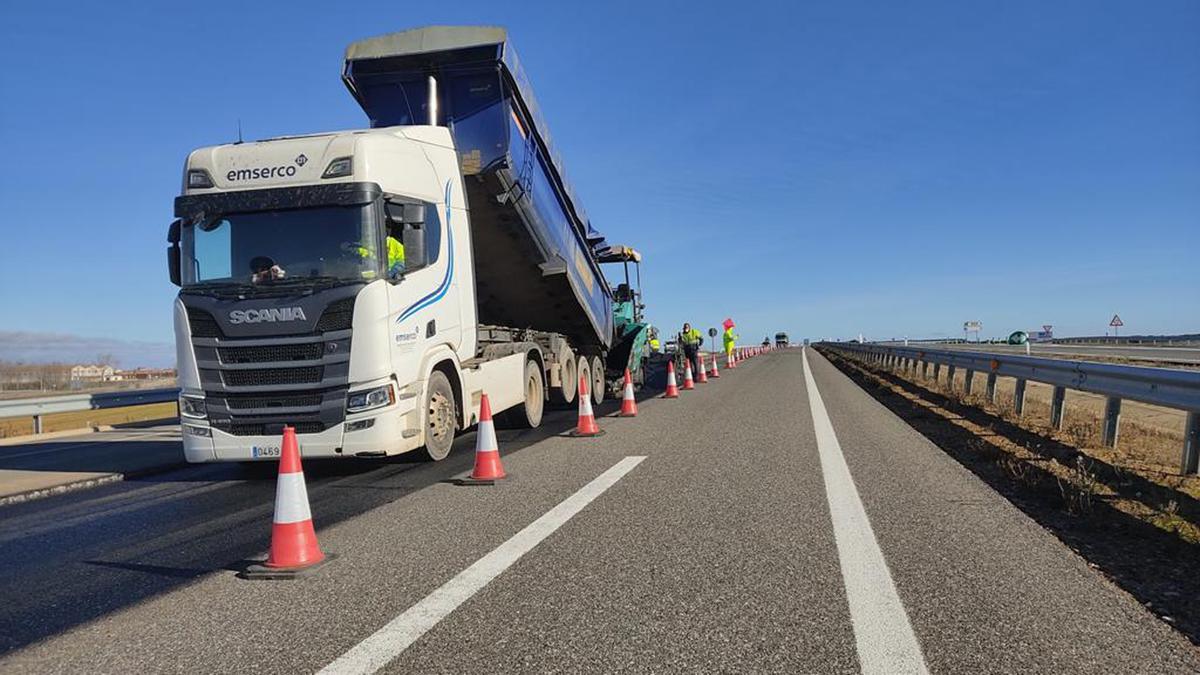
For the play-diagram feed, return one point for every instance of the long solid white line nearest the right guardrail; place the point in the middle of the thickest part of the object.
(883, 635)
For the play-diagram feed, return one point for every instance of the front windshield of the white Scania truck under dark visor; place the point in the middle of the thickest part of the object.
(273, 248)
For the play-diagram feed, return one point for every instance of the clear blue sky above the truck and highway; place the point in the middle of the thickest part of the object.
(824, 169)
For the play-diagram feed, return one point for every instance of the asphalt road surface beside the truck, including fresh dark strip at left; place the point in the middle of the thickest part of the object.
(778, 519)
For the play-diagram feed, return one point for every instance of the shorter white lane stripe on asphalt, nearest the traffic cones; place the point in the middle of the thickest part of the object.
(389, 642)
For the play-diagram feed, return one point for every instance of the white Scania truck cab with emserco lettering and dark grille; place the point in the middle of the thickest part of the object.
(290, 310)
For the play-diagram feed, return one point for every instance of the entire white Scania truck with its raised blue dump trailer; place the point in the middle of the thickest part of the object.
(296, 304)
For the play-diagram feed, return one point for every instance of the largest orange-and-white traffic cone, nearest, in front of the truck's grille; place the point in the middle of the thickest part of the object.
(295, 548)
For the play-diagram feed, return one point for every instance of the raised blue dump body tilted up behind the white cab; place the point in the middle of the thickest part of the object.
(536, 265)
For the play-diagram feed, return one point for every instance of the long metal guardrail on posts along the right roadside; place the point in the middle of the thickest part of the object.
(1157, 386)
